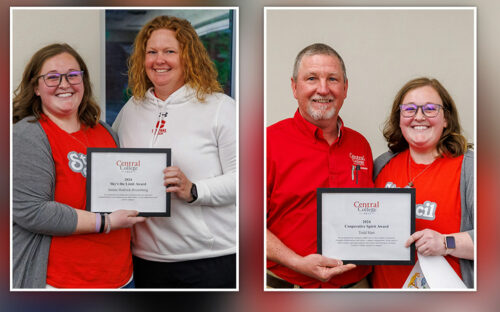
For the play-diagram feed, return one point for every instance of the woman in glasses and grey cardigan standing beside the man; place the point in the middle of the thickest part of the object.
(429, 153)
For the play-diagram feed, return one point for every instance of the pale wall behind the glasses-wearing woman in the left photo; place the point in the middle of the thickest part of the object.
(80, 28)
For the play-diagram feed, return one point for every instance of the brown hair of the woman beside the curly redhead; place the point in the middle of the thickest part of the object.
(27, 103)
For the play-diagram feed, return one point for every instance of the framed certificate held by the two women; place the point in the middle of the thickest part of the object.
(127, 178)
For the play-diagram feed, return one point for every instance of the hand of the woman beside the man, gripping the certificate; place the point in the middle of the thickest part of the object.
(428, 242)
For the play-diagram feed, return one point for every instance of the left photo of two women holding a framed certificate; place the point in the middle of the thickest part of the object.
(152, 94)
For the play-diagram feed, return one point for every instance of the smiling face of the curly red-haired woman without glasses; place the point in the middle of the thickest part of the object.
(163, 62)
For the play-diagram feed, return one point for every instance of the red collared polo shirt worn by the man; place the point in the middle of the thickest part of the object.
(299, 161)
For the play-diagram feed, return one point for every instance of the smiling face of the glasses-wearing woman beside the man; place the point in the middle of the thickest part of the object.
(421, 132)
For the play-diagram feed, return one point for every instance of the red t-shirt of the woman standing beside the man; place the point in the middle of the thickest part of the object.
(437, 205)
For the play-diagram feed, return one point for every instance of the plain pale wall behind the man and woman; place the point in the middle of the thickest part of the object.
(382, 50)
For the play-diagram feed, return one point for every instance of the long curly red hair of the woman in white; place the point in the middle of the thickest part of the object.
(199, 70)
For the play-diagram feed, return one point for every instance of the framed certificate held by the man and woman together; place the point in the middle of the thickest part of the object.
(366, 226)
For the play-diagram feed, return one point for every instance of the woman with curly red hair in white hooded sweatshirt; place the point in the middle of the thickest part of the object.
(177, 104)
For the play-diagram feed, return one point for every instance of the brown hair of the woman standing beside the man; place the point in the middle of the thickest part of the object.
(451, 143)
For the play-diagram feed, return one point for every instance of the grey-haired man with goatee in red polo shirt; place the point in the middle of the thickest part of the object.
(311, 150)
